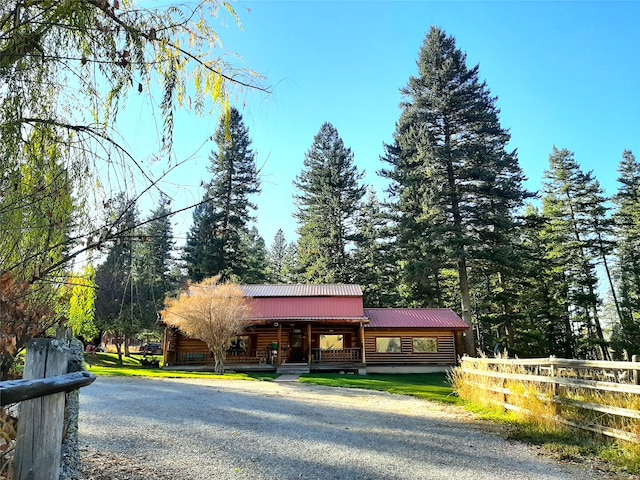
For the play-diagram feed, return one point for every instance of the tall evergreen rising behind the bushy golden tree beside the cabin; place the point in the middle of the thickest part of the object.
(214, 243)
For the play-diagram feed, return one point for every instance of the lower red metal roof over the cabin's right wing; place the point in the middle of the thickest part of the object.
(414, 318)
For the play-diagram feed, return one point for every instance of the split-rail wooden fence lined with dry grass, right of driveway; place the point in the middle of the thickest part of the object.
(598, 396)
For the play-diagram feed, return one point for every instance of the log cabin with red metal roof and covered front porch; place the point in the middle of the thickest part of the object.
(327, 328)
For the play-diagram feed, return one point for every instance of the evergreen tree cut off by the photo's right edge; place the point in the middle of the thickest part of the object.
(627, 231)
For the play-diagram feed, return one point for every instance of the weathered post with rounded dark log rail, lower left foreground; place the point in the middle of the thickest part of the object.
(41, 412)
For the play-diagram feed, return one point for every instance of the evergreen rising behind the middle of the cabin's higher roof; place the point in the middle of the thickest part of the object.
(328, 200)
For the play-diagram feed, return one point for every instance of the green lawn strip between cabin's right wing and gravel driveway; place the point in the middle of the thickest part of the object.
(428, 386)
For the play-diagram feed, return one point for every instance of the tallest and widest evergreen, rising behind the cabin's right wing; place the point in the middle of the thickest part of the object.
(455, 185)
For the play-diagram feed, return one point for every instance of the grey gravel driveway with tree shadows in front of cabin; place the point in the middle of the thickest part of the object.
(134, 428)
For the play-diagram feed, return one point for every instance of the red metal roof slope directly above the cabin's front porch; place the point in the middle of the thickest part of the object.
(307, 308)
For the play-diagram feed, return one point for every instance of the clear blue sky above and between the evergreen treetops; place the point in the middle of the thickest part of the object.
(565, 74)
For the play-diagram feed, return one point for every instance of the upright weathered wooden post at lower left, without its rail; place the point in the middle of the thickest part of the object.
(41, 420)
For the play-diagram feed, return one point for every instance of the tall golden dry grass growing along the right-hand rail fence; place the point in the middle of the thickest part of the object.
(529, 408)
